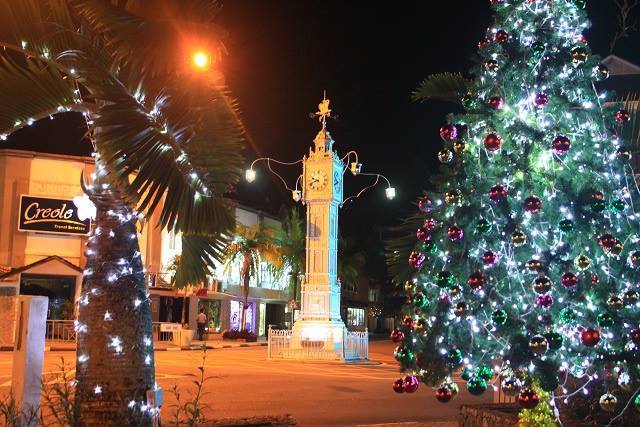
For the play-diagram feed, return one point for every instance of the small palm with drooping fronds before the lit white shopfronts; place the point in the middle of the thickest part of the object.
(251, 246)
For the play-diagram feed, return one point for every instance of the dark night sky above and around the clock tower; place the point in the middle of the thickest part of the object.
(369, 56)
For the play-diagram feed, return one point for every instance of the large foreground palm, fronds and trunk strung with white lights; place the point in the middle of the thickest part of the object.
(166, 139)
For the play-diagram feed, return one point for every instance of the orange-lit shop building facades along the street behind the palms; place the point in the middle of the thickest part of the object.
(43, 233)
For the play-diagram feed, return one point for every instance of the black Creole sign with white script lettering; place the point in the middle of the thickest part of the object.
(49, 215)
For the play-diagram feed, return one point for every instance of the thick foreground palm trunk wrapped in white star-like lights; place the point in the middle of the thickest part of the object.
(115, 360)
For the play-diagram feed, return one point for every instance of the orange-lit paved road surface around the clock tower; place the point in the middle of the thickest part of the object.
(244, 383)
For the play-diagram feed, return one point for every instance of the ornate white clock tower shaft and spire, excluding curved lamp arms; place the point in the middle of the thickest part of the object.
(322, 180)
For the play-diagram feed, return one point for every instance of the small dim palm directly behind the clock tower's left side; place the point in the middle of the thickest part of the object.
(291, 243)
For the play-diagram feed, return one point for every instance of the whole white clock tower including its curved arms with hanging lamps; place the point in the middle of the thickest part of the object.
(320, 188)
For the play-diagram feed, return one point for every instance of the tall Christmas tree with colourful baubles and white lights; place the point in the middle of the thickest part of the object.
(527, 265)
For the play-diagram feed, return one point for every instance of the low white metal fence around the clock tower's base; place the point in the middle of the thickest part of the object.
(350, 346)
